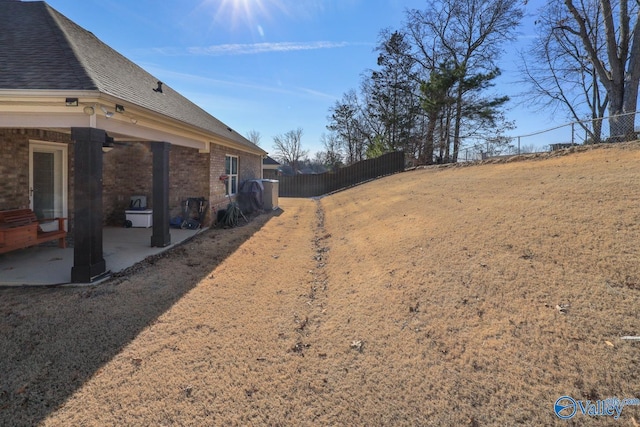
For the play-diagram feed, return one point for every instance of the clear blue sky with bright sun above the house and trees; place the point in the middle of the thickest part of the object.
(265, 65)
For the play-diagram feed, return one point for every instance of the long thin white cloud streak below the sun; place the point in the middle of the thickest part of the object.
(255, 48)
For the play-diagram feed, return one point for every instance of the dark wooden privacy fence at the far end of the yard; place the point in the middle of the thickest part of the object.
(317, 185)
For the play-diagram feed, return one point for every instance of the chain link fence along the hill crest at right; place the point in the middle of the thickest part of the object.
(609, 129)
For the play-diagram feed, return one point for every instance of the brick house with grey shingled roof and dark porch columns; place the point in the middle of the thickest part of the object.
(82, 129)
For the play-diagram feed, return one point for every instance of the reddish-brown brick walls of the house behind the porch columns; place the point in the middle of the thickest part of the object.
(127, 171)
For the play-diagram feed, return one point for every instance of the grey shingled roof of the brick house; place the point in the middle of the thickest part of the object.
(40, 49)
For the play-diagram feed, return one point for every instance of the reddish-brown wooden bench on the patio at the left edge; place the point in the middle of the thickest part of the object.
(20, 228)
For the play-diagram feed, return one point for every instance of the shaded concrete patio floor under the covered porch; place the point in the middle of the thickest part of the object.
(122, 248)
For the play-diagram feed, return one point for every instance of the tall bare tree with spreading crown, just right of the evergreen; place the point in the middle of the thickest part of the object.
(468, 34)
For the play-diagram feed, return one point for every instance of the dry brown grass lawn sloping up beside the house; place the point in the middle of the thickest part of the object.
(424, 298)
